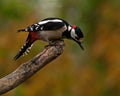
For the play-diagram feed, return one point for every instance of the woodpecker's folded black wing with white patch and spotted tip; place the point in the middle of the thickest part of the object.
(46, 24)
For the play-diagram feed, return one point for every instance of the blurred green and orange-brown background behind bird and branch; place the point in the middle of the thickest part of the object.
(93, 72)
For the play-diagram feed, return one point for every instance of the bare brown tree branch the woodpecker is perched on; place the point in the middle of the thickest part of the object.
(26, 70)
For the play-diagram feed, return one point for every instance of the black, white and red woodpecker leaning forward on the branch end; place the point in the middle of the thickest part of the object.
(50, 29)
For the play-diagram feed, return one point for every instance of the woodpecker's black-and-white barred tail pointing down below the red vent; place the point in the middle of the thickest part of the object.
(24, 50)
